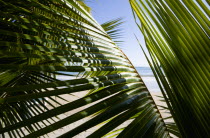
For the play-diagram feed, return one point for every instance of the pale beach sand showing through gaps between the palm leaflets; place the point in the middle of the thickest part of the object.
(75, 124)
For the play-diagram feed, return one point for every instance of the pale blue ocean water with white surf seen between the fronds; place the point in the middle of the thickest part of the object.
(145, 73)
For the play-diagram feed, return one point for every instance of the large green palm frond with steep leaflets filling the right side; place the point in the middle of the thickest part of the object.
(177, 37)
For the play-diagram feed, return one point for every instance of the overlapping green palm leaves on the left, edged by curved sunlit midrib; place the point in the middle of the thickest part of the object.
(40, 39)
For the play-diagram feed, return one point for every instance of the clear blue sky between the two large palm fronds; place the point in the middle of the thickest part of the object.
(105, 10)
